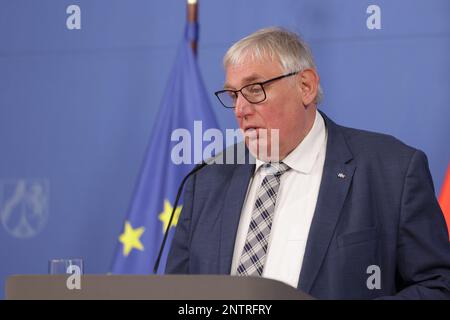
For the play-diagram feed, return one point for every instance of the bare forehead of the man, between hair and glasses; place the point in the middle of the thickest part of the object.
(250, 70)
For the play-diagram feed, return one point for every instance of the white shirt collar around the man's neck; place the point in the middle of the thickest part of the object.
(304, 156)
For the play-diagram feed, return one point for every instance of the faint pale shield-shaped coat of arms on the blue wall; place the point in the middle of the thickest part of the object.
(24, 206)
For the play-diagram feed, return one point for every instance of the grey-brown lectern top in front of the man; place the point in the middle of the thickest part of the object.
(150, 287)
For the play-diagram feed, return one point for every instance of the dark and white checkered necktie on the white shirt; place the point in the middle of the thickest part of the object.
(254, 253)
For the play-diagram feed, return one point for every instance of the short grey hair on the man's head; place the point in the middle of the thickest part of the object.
(277, 43)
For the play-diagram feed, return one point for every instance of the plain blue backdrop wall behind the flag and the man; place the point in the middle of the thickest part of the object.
(77, 106)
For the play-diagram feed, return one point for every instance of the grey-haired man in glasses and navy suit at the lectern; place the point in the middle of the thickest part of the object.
(336, 212)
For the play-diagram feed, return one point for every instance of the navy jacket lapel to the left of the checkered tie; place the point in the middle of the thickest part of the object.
(231, 212)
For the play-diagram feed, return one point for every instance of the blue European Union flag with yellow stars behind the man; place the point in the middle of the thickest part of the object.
(185, 100)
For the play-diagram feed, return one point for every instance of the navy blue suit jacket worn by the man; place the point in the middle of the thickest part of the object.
(384, 213)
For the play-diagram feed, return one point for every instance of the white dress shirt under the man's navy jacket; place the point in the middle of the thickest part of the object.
(294, 208)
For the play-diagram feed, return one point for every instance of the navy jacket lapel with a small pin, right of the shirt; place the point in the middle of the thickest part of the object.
(336, 180)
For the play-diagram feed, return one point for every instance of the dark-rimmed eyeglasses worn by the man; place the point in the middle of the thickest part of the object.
(253, 93)
